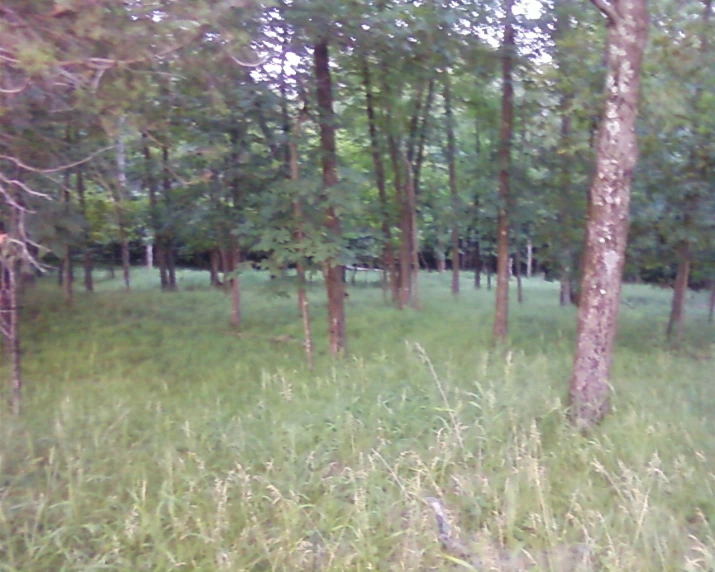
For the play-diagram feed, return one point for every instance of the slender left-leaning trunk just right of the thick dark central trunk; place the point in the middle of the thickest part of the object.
(388, 254)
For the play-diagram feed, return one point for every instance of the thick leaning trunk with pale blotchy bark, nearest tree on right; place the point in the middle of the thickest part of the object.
(608, 217)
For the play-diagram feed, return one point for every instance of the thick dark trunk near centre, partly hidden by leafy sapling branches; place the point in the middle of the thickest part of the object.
(333, 272)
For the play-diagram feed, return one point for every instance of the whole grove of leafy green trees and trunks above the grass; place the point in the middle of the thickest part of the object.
(403, 135)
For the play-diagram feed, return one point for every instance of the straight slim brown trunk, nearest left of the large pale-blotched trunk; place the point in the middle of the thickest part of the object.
(501, 314)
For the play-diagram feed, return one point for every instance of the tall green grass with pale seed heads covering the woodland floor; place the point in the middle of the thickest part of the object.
(155, 438)
